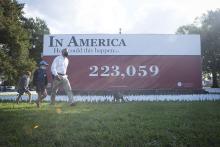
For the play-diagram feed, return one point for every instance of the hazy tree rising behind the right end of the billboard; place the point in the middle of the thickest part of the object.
(208, 26)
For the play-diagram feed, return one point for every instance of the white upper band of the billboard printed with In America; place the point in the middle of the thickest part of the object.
(122, 44)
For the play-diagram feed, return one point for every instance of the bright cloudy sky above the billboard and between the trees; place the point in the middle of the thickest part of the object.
(107, 16)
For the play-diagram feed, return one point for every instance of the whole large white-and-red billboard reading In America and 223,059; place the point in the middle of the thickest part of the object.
(103, 62)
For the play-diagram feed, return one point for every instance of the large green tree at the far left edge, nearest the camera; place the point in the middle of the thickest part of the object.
(14, 41)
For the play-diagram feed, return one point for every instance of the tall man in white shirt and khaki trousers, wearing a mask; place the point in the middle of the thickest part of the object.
(58, 69)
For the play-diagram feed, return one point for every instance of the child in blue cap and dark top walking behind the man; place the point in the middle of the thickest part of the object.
(40, 81)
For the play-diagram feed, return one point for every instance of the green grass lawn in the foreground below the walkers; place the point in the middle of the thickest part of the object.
(111, 124)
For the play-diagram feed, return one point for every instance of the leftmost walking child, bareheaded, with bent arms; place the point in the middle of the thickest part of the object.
(23, 86)
